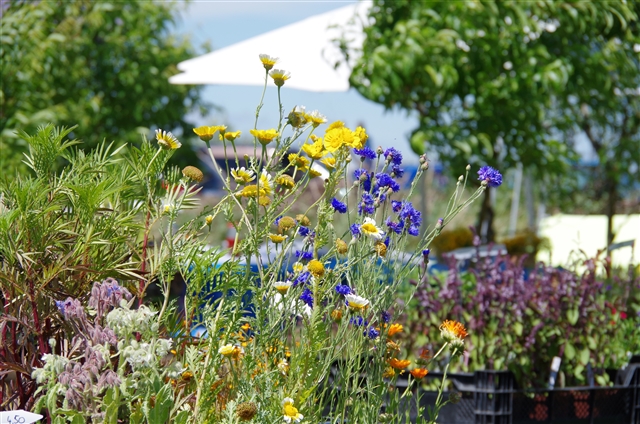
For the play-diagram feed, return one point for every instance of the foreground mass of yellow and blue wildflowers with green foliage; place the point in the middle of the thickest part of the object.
(296, 321)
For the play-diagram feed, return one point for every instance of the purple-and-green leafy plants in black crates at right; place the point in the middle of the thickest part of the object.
(520, 319)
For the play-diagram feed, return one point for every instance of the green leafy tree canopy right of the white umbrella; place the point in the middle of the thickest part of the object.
(503, 83)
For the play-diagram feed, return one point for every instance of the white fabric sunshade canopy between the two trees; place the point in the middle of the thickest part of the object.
(307, 49)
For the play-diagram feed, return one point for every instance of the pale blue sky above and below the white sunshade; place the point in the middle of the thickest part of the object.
(223, 23)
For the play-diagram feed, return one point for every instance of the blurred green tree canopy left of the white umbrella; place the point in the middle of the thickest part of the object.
(101, 65)
